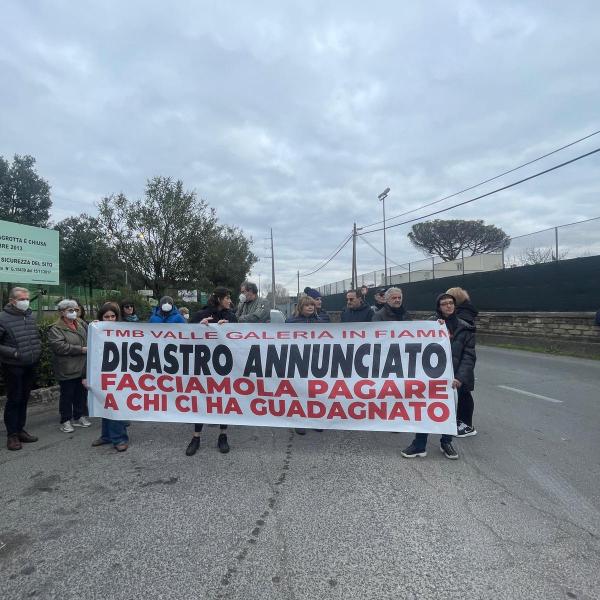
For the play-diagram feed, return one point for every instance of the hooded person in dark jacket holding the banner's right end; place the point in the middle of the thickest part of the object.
(462, 343)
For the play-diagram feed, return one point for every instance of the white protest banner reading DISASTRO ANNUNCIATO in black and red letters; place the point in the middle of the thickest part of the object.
(393, 376)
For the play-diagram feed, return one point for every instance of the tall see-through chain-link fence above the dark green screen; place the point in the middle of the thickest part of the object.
(573, 240)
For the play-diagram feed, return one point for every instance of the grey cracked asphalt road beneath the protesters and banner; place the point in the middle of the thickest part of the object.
(333, 515)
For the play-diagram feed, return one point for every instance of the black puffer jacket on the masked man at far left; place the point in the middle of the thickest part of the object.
(20, 343)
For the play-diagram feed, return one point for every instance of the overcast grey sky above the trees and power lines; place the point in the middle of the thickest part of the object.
(296, 115)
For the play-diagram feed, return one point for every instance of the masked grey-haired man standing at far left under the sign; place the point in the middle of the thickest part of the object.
(20, 351)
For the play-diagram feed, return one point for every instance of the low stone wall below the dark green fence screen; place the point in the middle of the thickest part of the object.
(573, 332)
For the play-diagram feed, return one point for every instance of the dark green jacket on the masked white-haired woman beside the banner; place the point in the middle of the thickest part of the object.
(67, 350)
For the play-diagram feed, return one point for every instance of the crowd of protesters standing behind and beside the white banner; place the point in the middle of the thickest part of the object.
(20, 351)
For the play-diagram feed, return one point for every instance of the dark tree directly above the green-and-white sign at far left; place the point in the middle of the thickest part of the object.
(24, 195)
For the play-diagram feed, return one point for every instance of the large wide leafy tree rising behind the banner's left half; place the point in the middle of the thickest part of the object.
(173, 240)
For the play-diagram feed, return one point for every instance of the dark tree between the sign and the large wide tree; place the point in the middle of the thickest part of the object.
(85, 258)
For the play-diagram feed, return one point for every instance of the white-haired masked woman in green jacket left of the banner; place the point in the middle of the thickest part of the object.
(67, 339)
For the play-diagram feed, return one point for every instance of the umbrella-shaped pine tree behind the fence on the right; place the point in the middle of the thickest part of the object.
(448, 239)
